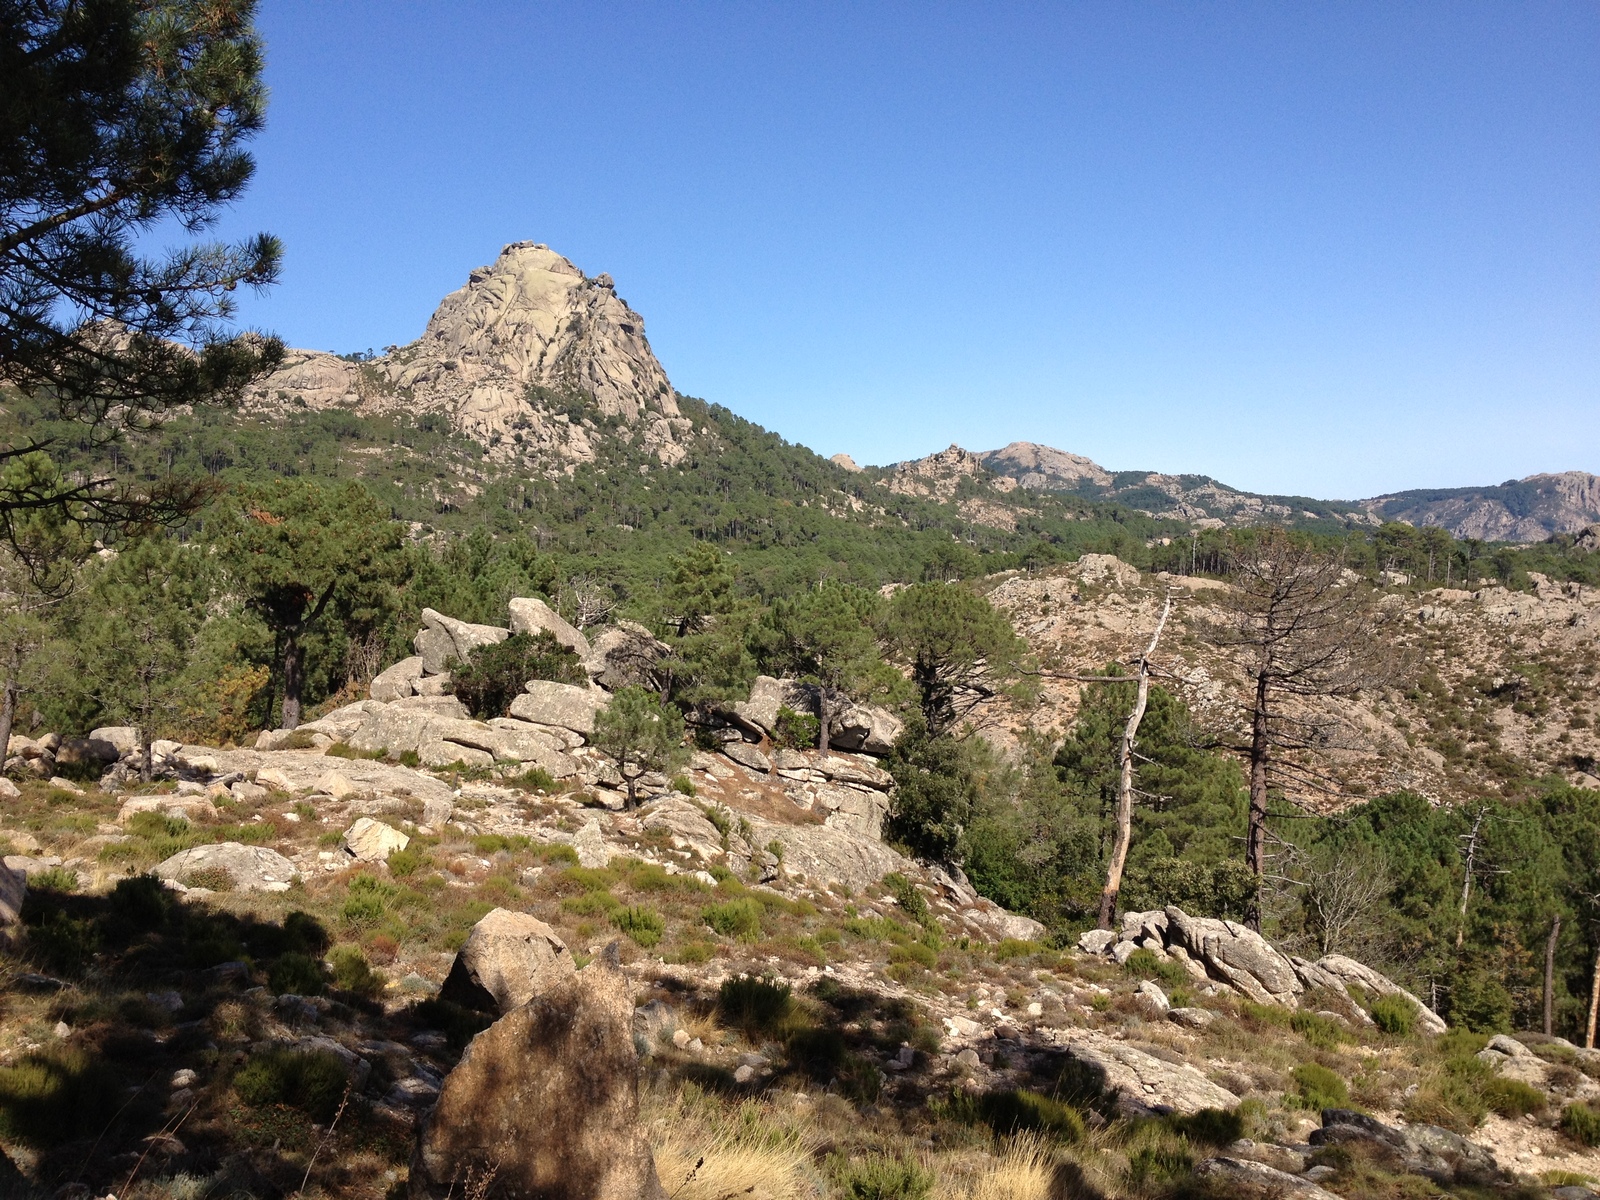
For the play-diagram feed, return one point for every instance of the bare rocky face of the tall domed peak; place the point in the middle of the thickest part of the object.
(503, 358)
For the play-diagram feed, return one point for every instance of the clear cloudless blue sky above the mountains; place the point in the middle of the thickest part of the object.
(1321, 249)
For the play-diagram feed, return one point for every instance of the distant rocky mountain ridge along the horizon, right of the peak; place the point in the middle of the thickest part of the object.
(1518, 511)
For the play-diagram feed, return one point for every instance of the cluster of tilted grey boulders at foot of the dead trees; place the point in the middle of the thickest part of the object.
(1230, 956)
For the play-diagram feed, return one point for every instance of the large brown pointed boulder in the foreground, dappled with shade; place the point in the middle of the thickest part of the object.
(548, 1098)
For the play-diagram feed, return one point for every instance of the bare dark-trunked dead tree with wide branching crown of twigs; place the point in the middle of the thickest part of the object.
(1308, 631)
